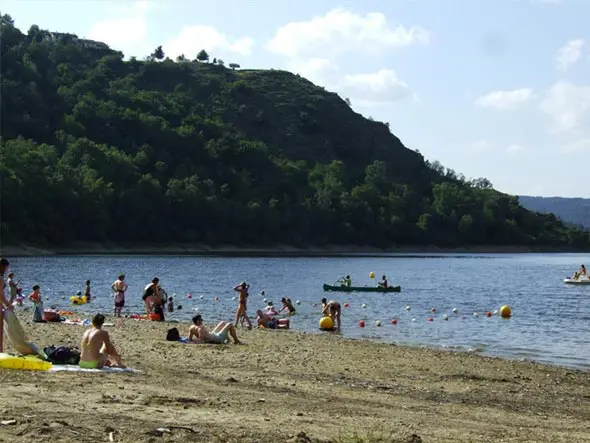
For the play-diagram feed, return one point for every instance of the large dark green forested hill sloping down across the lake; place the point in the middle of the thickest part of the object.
(98, 149)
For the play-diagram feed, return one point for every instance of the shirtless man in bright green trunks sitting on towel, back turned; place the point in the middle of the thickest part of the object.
(97, 349)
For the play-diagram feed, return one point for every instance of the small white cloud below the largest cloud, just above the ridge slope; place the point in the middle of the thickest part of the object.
(382, 86)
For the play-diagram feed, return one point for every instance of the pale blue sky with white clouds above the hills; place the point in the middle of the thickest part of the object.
(489, 88)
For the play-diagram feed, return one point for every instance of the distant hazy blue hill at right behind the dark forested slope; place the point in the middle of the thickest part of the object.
(575, 211)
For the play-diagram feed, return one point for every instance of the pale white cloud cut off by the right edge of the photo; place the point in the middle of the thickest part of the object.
(568, 105)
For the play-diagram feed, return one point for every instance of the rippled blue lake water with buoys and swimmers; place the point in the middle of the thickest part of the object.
(549, 324)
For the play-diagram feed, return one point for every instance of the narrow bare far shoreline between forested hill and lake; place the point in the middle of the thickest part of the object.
(24, 250)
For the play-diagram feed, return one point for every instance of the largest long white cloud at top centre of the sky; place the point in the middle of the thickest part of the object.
(341, 31)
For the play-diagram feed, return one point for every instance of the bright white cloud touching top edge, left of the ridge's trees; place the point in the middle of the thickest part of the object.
(127, 31)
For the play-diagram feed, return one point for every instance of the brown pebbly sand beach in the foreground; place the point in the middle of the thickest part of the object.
(285, 386)
